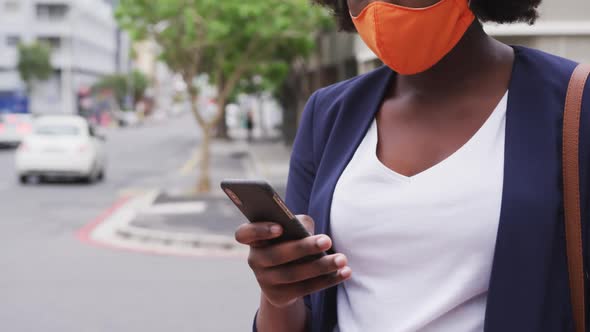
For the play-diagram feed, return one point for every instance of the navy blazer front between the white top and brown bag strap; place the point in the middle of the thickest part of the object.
(530, 243)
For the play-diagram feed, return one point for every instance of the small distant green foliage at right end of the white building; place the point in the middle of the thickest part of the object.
(123, 85)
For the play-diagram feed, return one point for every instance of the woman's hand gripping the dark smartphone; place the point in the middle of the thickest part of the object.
(281, 274)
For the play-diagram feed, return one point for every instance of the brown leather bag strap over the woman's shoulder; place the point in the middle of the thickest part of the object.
(571, 192)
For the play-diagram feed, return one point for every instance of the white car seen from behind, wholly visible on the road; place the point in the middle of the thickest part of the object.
(62, 146)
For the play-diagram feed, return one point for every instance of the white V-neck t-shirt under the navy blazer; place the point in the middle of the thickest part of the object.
(420, 247)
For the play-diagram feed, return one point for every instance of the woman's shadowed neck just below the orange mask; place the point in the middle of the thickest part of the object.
(476, 55)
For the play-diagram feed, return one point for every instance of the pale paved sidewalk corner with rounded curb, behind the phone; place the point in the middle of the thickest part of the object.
(173, 221)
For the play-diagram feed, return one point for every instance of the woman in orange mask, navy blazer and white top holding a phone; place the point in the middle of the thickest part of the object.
(436, 179)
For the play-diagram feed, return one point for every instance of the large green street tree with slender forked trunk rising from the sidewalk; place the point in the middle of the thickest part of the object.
(228, 40)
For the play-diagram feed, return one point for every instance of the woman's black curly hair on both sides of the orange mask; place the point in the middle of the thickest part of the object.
(498, 11)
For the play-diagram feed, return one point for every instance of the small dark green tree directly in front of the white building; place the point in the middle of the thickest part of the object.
(34, 64)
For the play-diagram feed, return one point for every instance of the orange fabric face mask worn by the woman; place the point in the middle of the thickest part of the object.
(412, 40)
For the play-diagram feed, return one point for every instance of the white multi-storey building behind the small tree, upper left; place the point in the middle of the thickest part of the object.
(85, 41)
